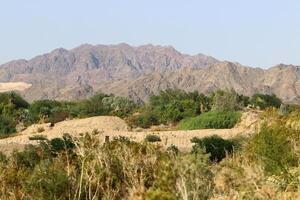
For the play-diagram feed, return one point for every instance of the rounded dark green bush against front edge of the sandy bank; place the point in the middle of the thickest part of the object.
(215, 146)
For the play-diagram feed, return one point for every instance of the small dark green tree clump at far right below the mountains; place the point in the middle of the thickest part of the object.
(264, 101)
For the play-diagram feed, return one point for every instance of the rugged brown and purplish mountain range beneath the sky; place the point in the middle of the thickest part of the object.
(138, 72)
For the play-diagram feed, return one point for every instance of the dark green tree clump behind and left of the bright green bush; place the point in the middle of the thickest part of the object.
(170, 106)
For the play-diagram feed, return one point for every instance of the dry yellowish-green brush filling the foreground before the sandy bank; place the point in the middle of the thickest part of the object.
(263, 166)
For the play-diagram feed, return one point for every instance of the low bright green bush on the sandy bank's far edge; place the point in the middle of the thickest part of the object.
(216, 119)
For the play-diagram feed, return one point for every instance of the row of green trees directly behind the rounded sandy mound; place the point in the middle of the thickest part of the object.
(100, 104)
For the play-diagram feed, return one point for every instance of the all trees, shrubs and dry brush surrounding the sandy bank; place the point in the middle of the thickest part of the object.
(262, 166)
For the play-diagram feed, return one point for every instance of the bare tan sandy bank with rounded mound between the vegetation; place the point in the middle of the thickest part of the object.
(114, 126)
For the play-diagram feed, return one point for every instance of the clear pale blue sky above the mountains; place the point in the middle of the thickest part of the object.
(253, 32)
